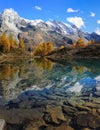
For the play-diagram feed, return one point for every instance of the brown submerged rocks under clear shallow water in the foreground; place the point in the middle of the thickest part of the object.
(51, 112)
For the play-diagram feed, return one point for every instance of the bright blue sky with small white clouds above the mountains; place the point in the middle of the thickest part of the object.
(85, 14)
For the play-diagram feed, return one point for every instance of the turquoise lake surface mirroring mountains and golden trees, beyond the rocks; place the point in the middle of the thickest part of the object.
(77, 77)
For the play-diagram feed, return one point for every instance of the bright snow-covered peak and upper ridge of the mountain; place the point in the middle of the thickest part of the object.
(12, 20)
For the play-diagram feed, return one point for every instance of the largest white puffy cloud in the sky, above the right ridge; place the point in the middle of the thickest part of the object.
(78, 21)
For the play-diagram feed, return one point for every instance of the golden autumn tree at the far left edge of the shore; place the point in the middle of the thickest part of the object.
(4, 43)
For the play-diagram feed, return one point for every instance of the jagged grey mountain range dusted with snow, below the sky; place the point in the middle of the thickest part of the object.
(37, 31)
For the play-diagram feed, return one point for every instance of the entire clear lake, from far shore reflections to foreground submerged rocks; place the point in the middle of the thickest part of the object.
(41, 94)
